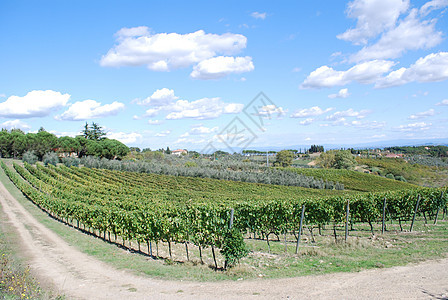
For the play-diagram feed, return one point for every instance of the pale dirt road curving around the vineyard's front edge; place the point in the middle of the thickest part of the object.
(79, 276)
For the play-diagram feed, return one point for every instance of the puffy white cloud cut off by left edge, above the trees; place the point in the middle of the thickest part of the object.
(34, 104)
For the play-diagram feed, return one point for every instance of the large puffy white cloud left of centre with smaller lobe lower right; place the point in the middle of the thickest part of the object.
(168, 51)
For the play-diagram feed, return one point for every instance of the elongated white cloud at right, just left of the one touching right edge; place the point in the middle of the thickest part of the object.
(367, 72)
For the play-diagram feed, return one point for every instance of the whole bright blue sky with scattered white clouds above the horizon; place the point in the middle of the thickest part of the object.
(208, 75)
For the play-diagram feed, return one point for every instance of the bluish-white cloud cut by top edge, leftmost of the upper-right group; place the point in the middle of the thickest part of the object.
(373, 17)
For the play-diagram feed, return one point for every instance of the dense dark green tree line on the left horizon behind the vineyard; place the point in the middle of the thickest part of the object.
(15, 143)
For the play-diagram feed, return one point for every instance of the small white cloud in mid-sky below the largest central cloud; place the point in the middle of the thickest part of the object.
(206, 108)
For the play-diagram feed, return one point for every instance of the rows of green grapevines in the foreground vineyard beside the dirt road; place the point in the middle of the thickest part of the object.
(149, 208)
